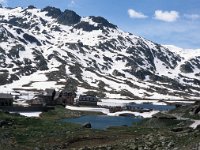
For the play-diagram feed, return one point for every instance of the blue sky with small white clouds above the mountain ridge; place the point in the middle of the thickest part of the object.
(172, 22)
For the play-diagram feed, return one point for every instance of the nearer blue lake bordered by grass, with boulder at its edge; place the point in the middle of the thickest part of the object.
(103, 121)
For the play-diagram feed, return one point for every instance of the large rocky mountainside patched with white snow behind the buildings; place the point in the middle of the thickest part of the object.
(49, 48)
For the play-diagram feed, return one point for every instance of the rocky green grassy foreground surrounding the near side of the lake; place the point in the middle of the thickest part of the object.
(162, 132)
